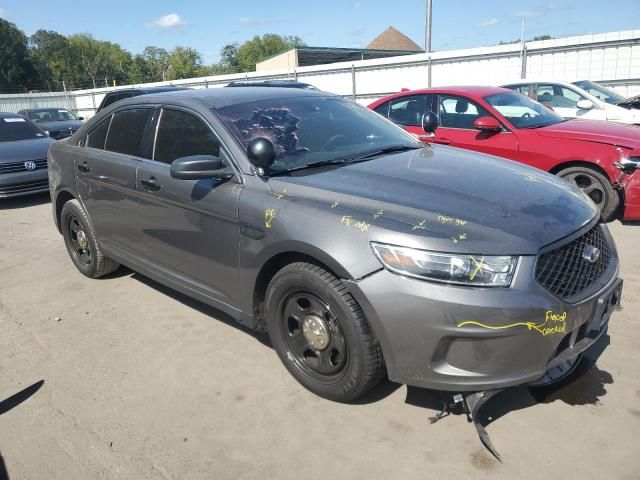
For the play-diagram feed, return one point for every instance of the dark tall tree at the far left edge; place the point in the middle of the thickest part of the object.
(15, 67)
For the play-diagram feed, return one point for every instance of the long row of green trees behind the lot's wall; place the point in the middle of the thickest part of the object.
(51, 61)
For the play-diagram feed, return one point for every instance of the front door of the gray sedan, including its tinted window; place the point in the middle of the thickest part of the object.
(189, 228)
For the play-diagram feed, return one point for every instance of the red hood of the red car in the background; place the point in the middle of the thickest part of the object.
(609, 133)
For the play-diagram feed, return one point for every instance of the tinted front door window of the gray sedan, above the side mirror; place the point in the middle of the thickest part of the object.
(183, 135)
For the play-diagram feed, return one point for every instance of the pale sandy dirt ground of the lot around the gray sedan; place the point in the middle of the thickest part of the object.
(141, 382)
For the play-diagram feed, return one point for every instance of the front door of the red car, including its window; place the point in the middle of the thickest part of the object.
(457, 114)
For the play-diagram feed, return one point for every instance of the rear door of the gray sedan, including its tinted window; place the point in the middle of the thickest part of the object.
(106, 174)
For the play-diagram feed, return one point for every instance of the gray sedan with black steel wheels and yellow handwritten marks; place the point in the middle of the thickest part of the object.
(359, 250)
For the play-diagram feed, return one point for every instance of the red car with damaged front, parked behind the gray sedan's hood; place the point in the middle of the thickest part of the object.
(602, 158)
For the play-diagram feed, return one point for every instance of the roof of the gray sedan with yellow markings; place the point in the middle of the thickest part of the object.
(221, 97)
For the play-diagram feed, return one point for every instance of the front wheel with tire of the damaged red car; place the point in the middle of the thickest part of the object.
(597, 187)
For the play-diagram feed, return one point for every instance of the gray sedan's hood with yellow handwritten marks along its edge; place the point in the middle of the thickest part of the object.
(445, 199)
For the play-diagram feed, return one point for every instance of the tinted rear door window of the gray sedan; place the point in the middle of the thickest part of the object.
(125, 133)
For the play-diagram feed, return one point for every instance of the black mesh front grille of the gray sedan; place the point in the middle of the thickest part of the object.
(565, 273)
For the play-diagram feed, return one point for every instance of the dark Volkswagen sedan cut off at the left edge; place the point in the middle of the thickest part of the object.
(23, 156)
